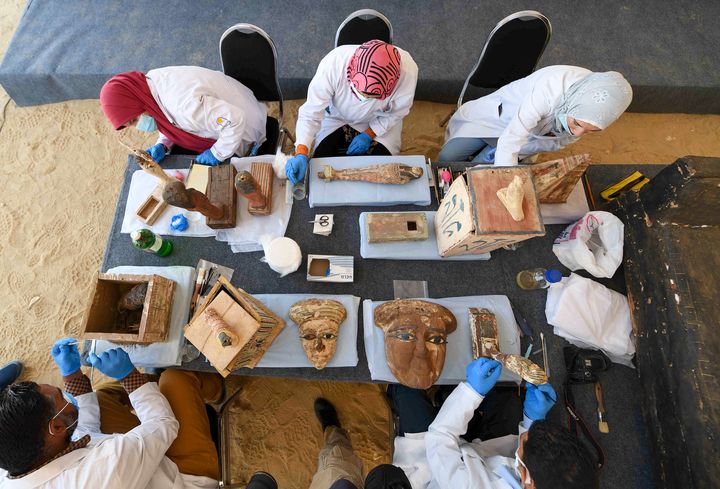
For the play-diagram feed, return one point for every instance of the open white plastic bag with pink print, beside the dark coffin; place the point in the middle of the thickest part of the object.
(594, 243)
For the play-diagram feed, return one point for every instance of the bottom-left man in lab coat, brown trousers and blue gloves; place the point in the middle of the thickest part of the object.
(77, 438)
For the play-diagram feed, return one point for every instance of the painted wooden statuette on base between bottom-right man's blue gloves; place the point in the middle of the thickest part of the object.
(485, 342)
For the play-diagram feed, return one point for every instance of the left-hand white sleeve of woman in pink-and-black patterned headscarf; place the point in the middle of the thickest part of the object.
(320, 95)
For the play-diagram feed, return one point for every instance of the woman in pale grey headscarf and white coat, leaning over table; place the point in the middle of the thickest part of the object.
(545, 111)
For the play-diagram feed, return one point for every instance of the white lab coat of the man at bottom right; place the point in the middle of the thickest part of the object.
(440, 459)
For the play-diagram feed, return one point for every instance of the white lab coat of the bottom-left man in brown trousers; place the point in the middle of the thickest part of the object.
(134, 460)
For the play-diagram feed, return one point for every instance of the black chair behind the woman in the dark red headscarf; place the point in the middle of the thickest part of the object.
(248, 55)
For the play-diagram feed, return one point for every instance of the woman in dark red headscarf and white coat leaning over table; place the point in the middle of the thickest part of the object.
(200, 110)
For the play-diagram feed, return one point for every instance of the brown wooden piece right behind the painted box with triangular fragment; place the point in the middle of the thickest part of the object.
(556, 179)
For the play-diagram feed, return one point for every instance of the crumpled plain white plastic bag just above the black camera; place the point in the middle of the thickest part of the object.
(590, 315)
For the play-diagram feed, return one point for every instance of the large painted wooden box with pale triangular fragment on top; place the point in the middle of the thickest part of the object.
(472, 220)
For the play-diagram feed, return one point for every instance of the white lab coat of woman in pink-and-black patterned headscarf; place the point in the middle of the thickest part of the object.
(331, 102)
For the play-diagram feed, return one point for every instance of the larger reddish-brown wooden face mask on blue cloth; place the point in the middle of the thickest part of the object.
(415, 337)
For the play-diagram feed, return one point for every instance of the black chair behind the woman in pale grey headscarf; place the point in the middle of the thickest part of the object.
(512, 51)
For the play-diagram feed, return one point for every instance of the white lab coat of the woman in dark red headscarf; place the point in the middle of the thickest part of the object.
(209, 104)
